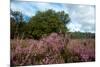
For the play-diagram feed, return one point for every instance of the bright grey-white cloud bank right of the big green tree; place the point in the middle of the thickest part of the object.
(84, 16)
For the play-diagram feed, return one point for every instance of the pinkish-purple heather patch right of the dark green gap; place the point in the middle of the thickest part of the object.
(85, 49)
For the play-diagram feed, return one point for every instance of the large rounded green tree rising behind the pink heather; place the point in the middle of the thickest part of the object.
(46, 22)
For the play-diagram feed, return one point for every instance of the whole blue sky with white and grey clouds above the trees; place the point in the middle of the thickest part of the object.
(82, 16)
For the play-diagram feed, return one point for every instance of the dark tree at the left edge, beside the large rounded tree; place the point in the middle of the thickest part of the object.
(17, 24)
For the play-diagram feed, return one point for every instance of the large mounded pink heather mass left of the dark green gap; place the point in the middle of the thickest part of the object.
(44, 51)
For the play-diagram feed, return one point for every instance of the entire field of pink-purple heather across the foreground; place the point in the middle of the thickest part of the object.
(52, 49)
